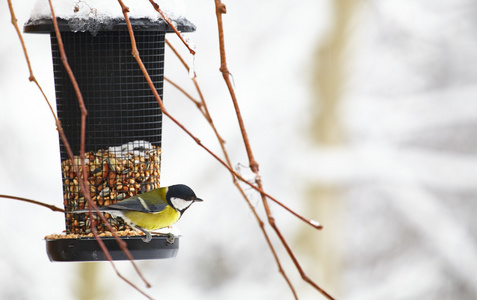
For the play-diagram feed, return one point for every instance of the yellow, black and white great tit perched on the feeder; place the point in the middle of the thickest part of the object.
(152, 210)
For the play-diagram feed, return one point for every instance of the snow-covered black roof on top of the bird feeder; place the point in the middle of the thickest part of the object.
(105, 15)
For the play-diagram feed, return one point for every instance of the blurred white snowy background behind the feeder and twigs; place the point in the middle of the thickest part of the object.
(398, 187)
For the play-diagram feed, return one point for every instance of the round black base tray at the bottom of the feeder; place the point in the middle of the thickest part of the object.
(88, 249)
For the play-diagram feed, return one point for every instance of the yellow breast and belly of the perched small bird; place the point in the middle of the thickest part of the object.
(153, 221)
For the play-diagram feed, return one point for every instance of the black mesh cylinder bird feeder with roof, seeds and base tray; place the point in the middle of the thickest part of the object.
(123, 128)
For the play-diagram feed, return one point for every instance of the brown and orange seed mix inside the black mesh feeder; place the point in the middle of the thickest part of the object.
(113, 174)
